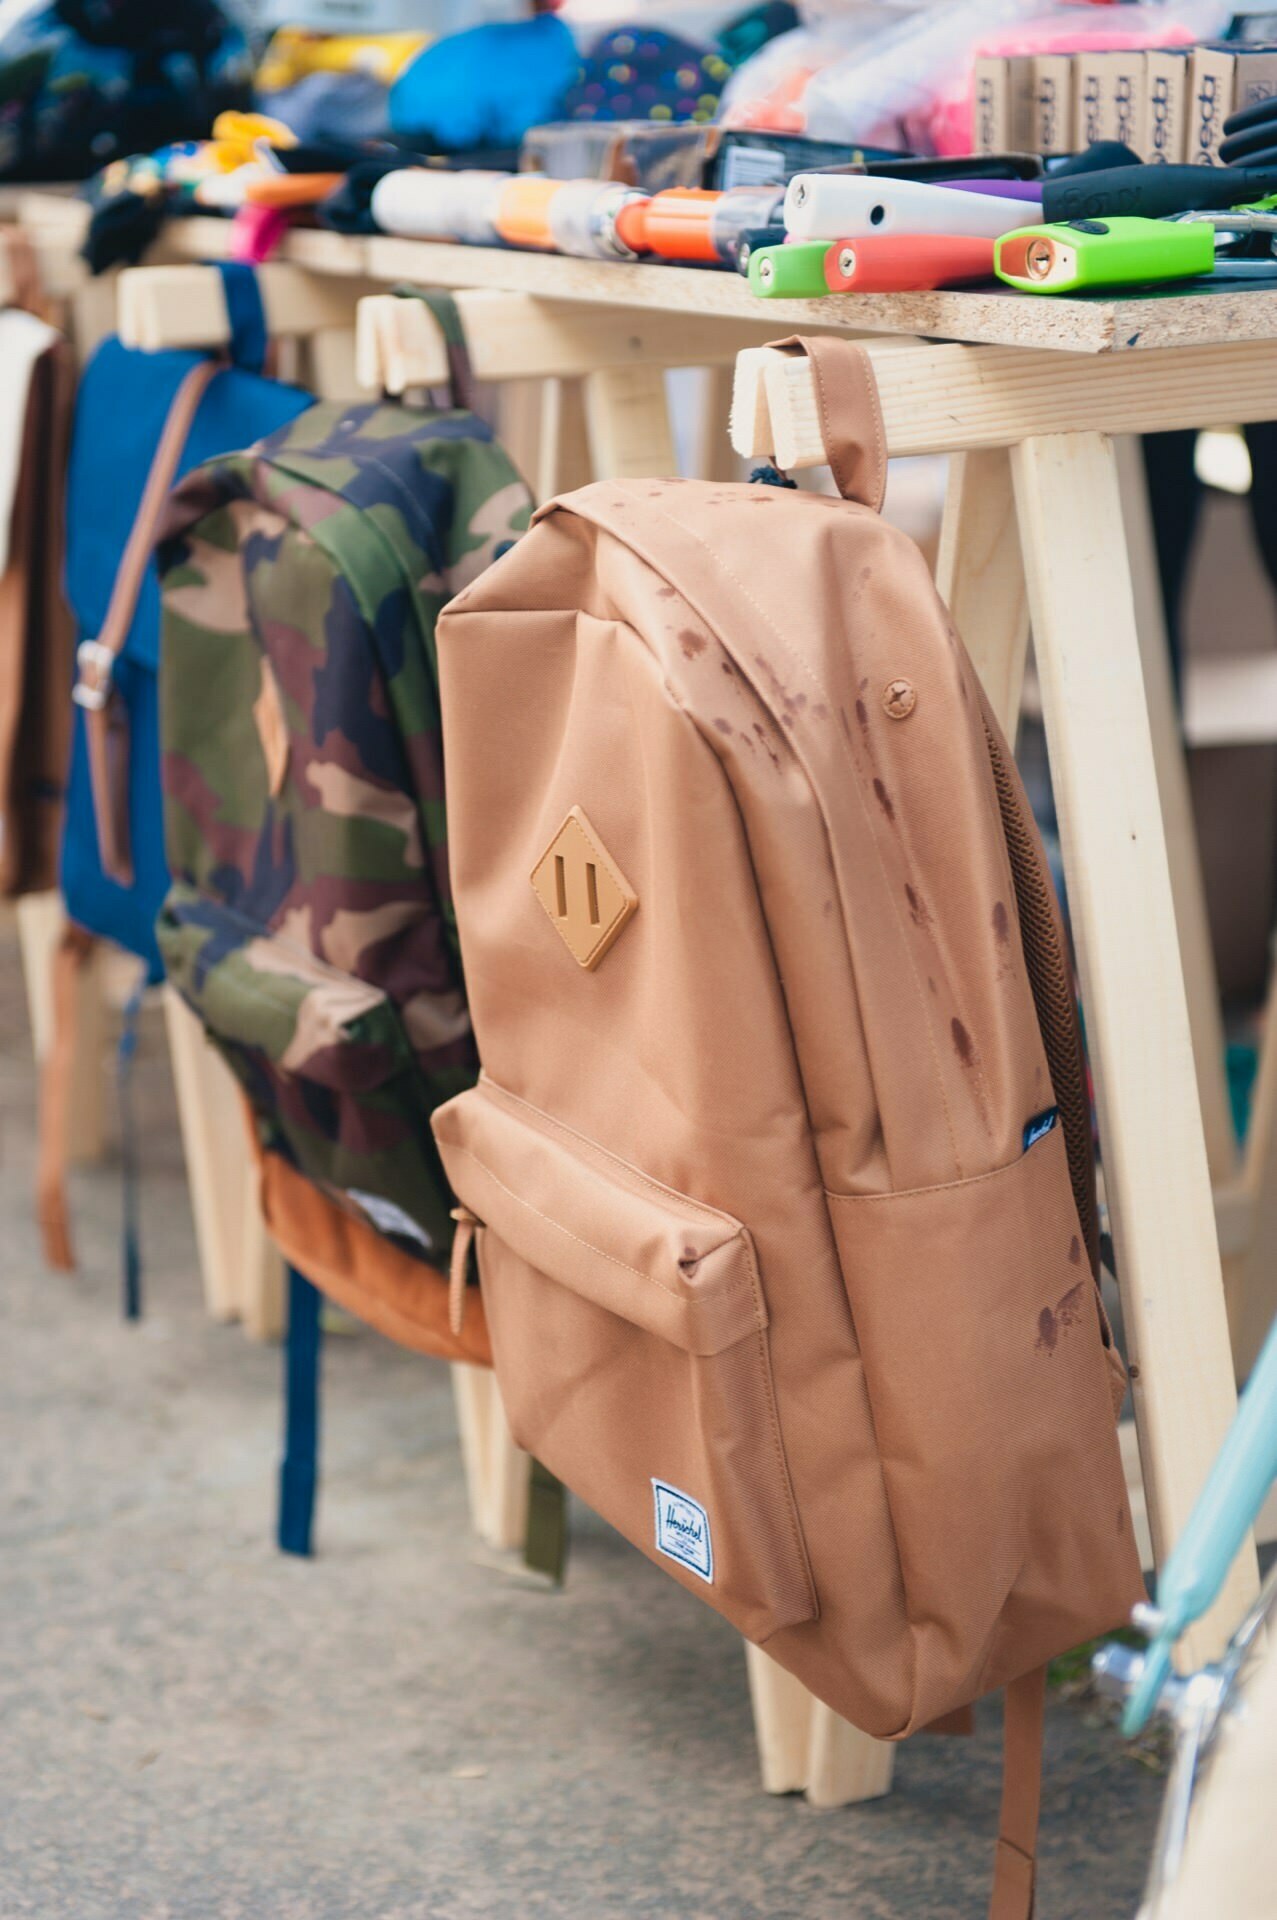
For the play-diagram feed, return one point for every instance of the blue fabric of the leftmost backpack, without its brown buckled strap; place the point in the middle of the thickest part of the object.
(124, 402)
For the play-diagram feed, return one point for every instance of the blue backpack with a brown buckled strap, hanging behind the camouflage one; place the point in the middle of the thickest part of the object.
(141, 423)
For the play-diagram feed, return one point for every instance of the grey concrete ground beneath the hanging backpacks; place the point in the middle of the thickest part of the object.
(197, 1729)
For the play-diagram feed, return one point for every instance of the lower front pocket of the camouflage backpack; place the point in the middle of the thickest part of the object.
(325, 1063)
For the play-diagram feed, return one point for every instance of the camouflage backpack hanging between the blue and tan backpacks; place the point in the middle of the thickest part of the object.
(310, 923)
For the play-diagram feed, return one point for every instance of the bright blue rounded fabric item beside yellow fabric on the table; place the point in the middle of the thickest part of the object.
(485, 87)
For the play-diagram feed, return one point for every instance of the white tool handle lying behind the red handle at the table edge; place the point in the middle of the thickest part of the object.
(844, 206)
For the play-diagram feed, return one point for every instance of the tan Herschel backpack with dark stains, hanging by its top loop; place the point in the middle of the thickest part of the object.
(781, 1166)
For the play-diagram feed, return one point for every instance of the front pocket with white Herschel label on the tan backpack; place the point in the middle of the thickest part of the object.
(629, 1335)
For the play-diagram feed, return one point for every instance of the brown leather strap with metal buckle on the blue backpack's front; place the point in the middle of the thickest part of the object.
(107, 731)
